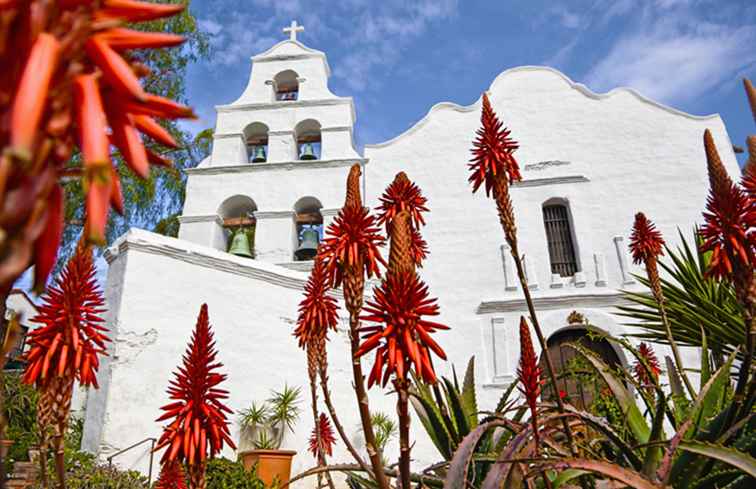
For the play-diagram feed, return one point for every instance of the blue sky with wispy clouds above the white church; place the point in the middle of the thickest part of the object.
(398, 58)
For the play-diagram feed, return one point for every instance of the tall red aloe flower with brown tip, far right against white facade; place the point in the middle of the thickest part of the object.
(729, 220)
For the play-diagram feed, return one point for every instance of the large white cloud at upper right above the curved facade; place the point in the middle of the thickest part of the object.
(673, 62)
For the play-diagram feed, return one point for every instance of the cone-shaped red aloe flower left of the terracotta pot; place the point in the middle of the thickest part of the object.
(199, 423)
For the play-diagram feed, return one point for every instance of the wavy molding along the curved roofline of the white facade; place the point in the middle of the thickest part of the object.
(546, 69)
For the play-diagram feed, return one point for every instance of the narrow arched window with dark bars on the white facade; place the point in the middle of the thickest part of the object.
(560, 238)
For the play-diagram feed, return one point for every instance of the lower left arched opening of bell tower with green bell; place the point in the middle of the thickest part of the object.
(239, 224)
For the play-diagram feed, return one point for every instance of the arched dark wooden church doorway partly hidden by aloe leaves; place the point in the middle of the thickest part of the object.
(578, 383)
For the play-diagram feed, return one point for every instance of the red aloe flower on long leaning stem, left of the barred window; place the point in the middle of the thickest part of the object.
(493, 151)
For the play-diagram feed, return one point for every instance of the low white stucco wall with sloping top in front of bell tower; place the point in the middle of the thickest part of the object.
(252, 308)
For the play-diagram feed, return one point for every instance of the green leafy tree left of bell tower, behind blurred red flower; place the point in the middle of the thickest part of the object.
(153, 203)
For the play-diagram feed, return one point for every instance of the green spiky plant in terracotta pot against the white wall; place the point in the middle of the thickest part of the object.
(263, 427)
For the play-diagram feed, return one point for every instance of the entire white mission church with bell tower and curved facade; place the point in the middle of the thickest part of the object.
(280, 158)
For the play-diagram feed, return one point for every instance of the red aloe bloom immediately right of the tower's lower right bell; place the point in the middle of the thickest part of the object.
(352, 241)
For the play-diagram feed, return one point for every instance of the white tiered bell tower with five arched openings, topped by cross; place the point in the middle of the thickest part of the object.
(280, 156)
